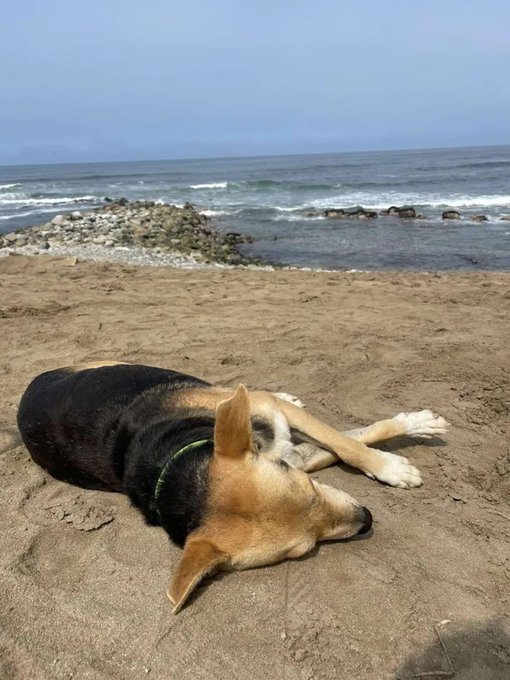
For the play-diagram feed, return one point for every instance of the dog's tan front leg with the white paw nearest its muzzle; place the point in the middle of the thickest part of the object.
(384, 466)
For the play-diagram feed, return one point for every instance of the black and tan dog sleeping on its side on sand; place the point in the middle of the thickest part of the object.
(222, 471)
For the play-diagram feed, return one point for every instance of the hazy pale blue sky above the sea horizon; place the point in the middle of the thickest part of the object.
(128, 80)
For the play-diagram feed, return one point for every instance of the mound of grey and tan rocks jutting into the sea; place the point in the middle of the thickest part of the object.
(139, 224)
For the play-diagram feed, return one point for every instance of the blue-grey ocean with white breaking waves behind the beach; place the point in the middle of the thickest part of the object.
(272, 198)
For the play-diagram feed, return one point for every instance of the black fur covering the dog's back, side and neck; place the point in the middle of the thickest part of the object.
(114, 428)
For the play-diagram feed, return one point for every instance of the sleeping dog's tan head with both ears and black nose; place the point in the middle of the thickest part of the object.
(259, 511)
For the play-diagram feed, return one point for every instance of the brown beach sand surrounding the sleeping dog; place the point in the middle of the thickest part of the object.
(83, 578)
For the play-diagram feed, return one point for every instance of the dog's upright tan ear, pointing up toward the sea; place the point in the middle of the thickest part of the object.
(232, 431)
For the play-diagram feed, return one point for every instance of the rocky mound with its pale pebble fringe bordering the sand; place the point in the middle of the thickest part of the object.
(138, 232)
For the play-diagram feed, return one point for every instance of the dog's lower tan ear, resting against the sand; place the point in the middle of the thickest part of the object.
(200, 557)
